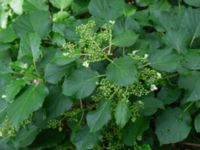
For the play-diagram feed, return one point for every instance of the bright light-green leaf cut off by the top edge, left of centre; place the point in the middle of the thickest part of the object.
(61, 4)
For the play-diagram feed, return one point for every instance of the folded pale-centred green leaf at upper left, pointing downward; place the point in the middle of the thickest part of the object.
(30, 46)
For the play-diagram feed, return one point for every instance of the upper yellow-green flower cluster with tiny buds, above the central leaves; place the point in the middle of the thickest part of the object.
(92, 45)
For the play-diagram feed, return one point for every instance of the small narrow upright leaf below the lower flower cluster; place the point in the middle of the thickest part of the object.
(122, 113)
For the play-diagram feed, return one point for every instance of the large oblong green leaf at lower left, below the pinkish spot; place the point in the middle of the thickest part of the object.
(28, 102)
